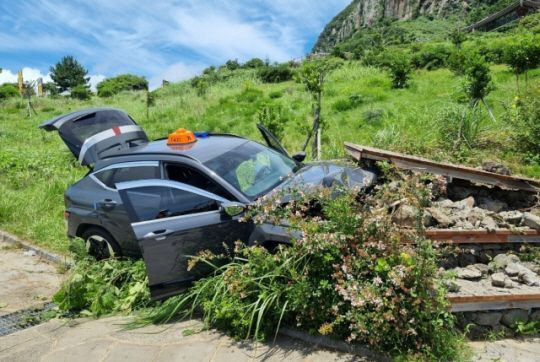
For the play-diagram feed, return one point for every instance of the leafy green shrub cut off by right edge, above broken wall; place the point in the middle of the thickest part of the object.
(525, 119)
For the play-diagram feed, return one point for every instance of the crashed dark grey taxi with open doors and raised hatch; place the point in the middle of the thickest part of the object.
(168, 199)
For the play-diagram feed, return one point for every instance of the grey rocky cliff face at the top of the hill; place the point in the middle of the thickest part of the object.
(365, 13)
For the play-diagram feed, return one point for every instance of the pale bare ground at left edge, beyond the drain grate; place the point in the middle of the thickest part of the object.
(26, 280)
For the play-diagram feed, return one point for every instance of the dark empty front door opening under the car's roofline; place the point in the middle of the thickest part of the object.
(190, 176)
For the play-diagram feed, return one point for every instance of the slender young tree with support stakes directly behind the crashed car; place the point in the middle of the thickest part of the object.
(313, 74)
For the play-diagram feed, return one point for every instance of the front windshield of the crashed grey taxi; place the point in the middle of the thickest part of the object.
(252, 168)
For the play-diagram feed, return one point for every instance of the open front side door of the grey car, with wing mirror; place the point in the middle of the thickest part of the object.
(172, 222)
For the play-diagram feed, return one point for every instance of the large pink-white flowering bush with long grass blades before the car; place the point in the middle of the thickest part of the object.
(350, 276)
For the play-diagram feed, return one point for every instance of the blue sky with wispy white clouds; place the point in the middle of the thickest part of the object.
(160, 39)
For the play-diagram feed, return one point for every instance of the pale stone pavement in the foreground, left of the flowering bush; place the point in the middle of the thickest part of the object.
(105, 340)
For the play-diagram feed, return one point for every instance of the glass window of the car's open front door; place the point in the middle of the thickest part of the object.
(157, 202)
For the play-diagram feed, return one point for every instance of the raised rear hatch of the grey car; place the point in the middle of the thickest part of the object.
(90, 134)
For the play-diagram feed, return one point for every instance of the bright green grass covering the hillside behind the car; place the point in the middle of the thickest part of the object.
(359, 105)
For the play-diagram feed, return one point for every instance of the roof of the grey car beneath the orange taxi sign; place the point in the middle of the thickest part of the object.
(202, 150)
